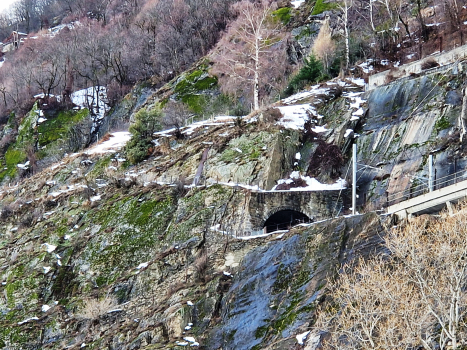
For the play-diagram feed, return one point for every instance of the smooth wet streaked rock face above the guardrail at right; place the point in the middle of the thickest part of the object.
(407, 121)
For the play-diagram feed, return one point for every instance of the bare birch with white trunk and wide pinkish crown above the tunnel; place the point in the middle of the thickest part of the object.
(245, 52)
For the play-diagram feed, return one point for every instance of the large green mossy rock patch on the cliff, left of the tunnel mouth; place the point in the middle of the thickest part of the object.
(129, 233)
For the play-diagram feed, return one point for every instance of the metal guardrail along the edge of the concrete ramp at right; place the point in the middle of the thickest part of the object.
(422, 188)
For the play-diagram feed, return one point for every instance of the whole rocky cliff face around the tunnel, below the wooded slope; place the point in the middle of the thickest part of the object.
(99, 254)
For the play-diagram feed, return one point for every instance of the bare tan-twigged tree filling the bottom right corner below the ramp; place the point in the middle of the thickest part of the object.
(413, 297)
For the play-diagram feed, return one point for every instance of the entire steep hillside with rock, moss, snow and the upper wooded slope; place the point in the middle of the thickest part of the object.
(212, 226)
